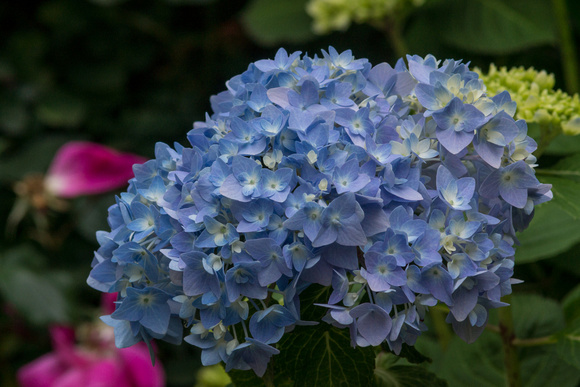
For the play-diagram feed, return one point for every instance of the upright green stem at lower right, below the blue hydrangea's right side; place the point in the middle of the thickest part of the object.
(506, 330)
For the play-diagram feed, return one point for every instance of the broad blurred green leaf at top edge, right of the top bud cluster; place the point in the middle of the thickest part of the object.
(487, 26)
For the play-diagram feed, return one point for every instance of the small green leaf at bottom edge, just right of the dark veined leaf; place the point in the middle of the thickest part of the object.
(388, 374)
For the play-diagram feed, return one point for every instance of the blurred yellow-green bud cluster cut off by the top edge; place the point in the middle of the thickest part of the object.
(337, 15)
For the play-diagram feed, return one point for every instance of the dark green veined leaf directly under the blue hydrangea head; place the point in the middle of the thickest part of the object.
(321, 355)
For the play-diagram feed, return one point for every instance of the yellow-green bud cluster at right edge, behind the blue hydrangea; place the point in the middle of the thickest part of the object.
(534, 93)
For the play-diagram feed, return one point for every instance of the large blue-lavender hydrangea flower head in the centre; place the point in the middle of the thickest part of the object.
(399, 188)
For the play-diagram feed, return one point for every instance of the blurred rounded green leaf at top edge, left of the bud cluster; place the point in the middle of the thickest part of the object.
(274, 22)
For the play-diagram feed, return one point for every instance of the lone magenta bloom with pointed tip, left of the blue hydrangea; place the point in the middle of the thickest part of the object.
(85, 168)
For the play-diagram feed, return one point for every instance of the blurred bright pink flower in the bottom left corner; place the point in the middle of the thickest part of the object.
(99, 364)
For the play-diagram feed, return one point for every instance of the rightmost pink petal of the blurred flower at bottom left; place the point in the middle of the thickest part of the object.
(138, 366)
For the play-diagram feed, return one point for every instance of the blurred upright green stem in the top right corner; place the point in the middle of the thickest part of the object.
(567, 49)
